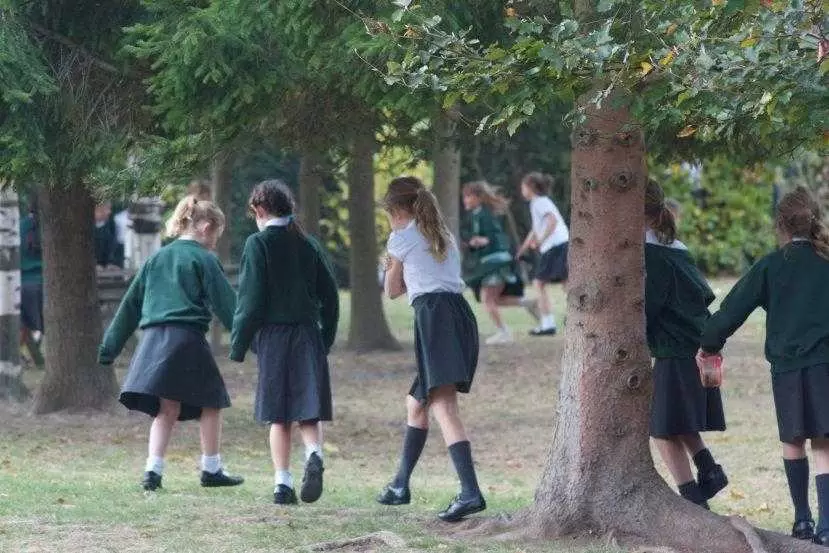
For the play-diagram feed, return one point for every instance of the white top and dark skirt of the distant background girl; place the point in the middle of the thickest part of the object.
(551, 264)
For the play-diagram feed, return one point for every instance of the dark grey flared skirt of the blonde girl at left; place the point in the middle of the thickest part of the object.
(174, 362)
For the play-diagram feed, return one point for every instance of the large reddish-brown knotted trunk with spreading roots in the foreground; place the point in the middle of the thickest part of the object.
(599, 477)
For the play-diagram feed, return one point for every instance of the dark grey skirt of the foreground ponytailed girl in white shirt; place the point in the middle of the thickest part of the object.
(446, 343)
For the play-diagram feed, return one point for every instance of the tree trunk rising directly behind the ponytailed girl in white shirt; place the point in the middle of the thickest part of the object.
(446, 157)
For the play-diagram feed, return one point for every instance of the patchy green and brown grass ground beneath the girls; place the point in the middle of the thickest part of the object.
(70, 482)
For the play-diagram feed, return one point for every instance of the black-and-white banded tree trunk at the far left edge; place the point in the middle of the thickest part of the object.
(11, 382)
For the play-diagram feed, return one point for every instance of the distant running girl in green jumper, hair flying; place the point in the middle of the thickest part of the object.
(492, 273)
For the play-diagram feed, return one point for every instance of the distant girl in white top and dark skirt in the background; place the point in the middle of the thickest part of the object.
(548, 235)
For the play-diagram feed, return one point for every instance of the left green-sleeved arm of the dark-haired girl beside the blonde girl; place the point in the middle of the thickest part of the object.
(250, 303)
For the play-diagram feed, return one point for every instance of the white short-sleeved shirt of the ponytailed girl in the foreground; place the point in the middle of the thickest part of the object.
(422, 273)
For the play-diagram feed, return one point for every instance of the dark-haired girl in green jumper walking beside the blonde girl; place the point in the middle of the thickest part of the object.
(285, 289)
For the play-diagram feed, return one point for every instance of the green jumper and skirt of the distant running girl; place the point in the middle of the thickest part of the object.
(492, 264)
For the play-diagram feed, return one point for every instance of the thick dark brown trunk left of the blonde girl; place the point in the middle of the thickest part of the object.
(73, 378)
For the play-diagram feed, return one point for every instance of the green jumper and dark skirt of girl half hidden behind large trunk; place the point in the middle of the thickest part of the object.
(676, 308)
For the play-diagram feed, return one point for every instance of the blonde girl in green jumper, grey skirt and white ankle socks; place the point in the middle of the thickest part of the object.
(173, 375)
